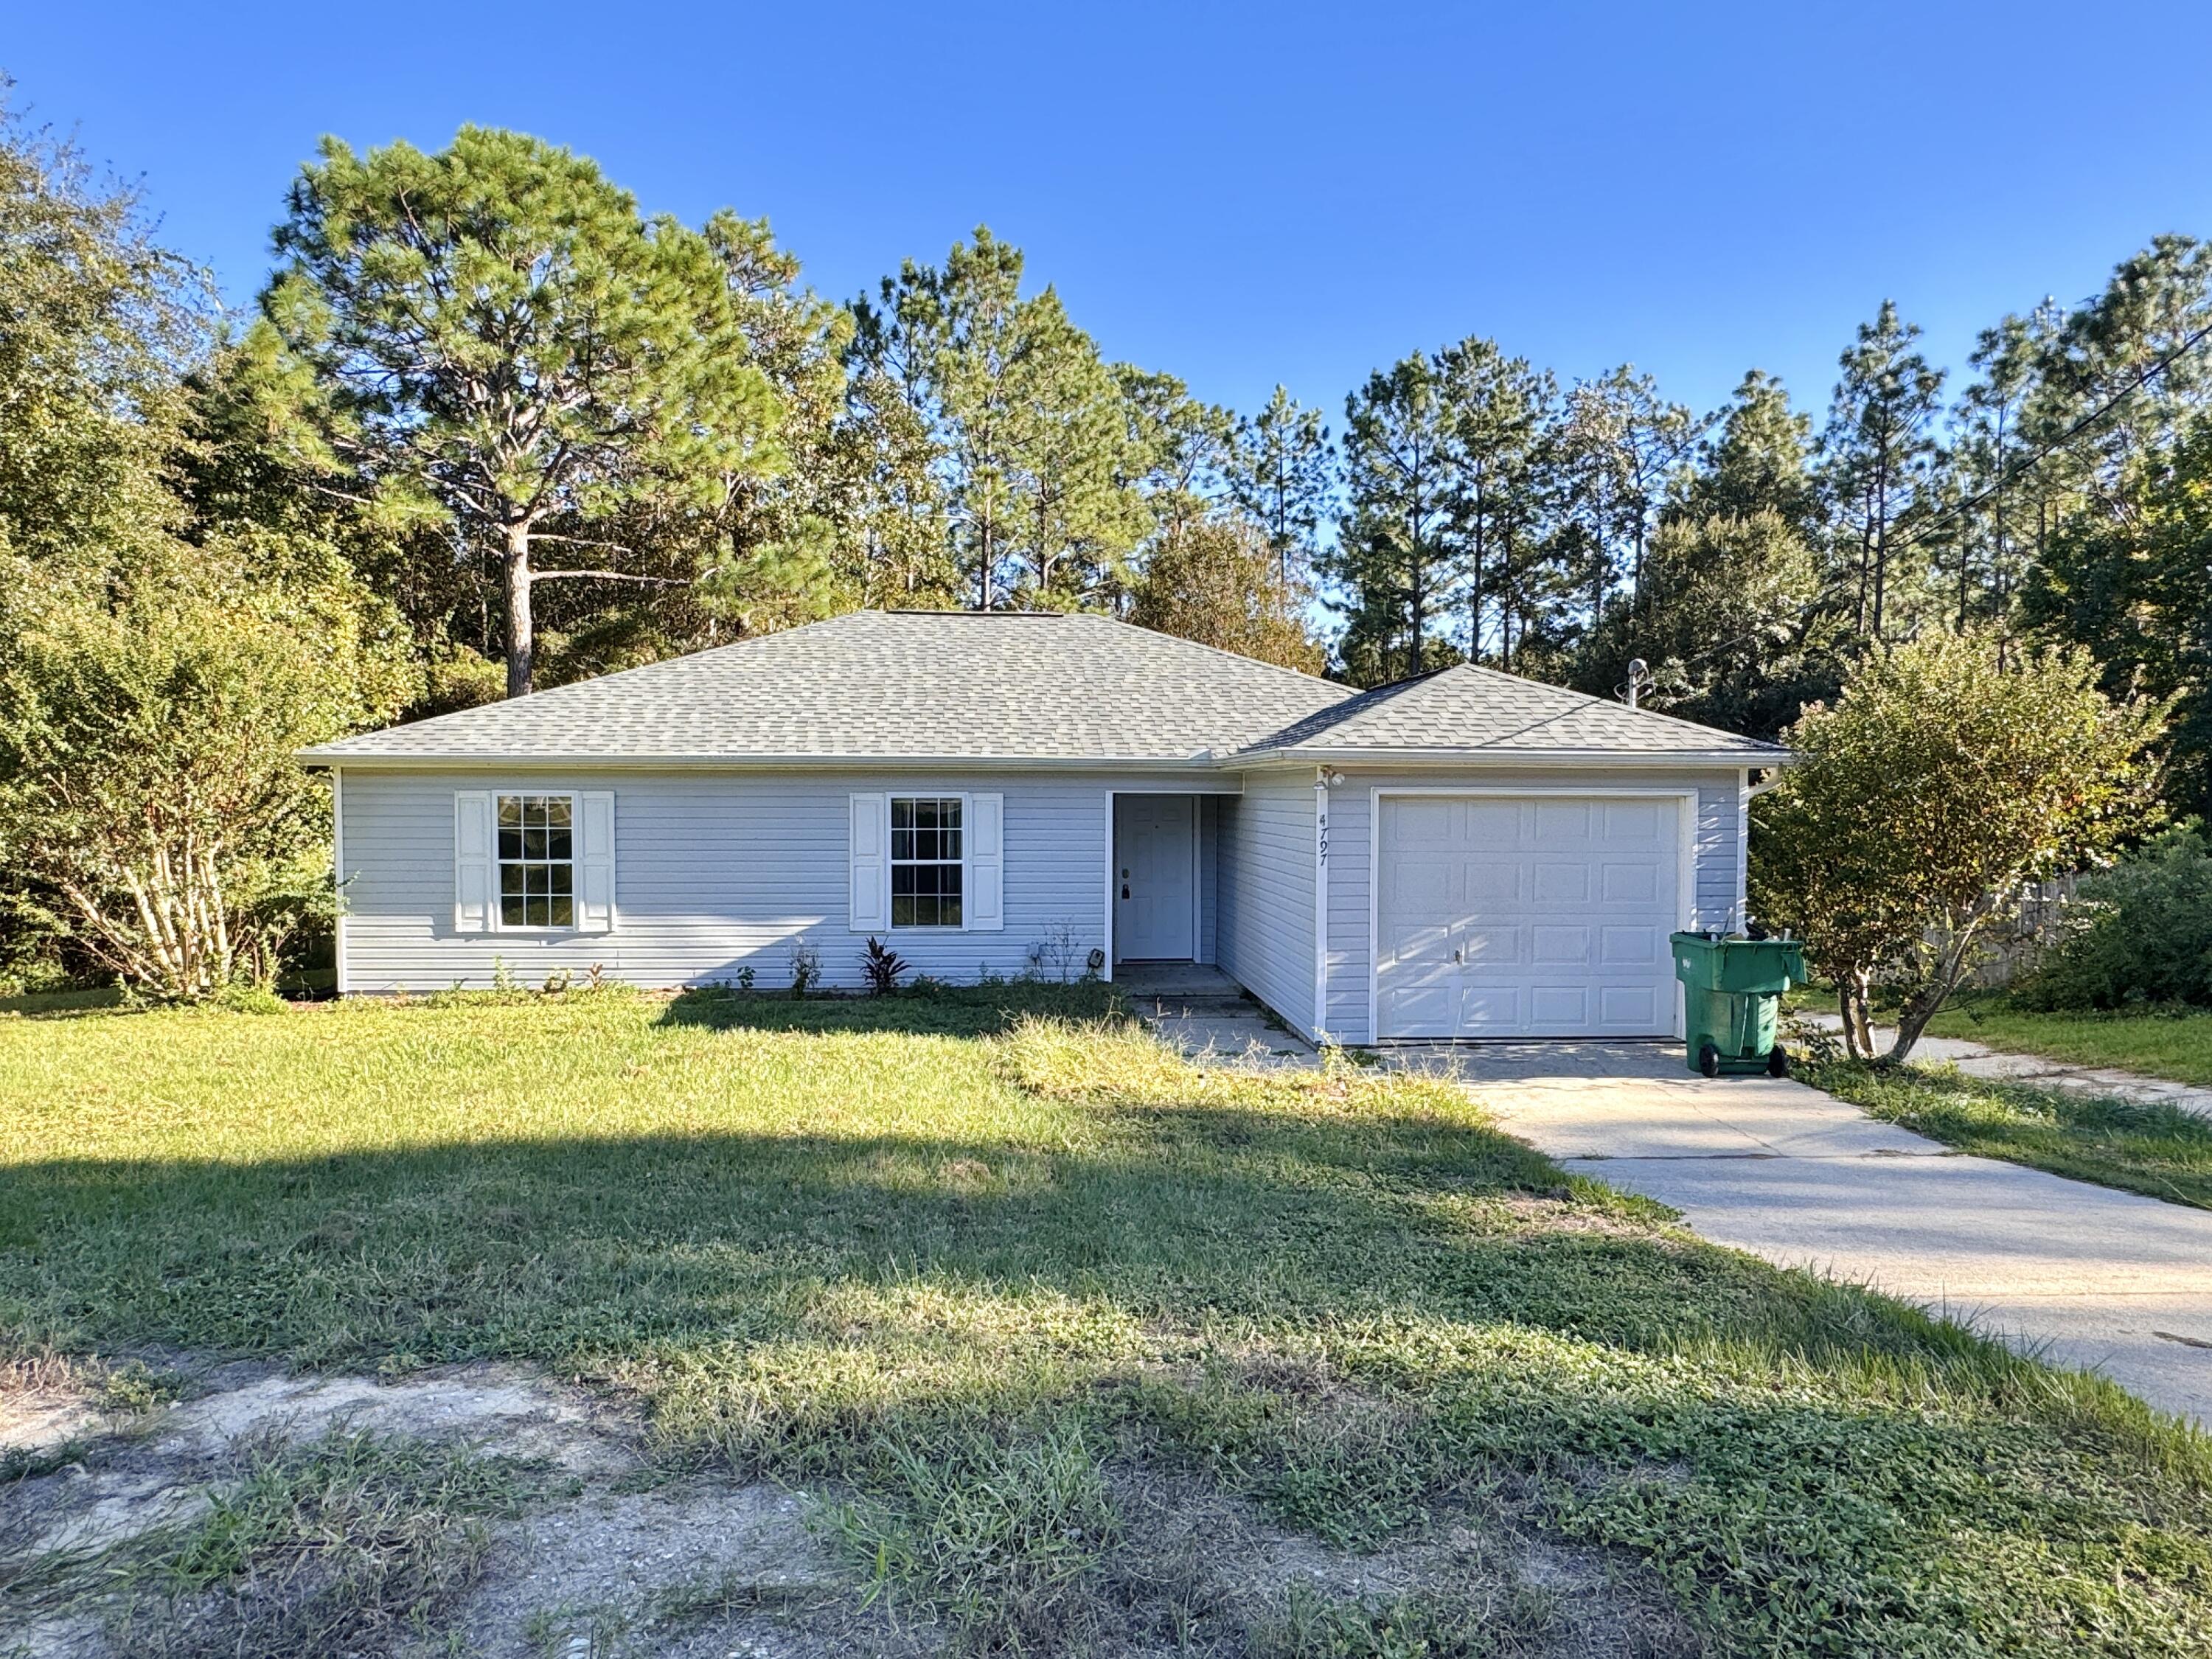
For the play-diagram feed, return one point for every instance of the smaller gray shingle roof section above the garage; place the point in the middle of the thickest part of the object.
(1479, 713)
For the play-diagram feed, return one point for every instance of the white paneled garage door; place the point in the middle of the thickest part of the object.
(1527, 917)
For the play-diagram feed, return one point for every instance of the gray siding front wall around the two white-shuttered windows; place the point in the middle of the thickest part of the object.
(716, 873)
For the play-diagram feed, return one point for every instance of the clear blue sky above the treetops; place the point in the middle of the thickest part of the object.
(1260, 194)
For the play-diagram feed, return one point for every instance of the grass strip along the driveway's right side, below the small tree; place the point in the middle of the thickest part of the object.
(2136, 1147)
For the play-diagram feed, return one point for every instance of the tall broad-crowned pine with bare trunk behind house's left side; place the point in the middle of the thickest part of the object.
(505, 351)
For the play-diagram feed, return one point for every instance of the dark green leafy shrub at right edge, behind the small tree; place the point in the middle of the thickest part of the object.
(2142, 932)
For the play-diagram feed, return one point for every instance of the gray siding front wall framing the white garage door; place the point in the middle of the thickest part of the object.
(1718, 857)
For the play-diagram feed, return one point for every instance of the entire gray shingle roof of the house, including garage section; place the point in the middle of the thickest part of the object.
(1010, 687)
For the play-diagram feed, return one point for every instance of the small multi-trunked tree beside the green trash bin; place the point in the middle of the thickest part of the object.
(1928, 797)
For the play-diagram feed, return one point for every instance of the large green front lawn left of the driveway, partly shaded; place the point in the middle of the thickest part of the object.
(974, 1264)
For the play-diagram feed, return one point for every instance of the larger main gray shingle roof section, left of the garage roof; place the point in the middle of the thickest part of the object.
(890, 687)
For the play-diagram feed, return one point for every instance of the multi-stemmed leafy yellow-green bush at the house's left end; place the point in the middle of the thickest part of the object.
(147, 771)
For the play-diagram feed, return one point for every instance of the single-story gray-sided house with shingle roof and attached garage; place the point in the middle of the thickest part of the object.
(1463, 855)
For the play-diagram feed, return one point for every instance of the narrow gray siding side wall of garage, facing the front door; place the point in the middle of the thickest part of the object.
(1266, 893)
